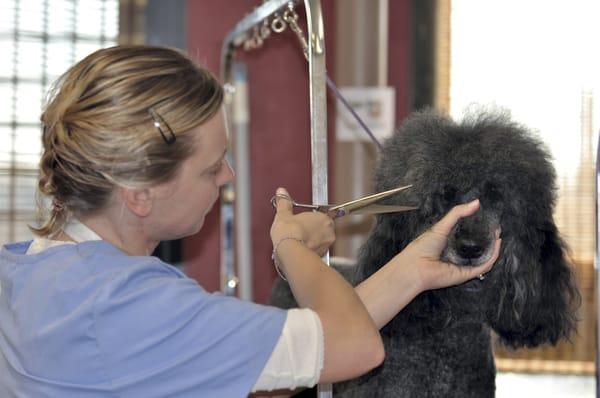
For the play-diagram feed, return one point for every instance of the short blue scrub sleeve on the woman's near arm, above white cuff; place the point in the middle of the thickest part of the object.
(160, 334)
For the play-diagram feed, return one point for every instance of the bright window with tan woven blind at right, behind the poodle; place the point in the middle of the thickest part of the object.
(548, 79)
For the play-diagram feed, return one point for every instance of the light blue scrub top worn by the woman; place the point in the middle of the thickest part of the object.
(87, 320)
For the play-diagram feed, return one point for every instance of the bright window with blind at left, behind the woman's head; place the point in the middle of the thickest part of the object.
(39, 40)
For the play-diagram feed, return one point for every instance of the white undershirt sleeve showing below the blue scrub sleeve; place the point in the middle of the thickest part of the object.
(297, 359)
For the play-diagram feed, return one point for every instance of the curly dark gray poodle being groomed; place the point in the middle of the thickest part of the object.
(440, 344)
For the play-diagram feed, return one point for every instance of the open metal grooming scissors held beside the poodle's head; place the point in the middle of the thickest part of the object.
(364, 205)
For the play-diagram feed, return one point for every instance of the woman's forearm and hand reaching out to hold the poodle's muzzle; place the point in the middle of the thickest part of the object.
(418, 268)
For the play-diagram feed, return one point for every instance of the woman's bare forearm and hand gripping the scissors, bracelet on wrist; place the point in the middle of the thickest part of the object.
(352, 342)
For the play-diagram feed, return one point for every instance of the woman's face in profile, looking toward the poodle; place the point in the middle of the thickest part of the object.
(181, 205)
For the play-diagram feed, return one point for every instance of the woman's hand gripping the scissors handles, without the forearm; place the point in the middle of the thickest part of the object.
(314, 228)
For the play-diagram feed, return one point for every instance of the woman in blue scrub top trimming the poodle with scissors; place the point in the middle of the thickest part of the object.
(134, 153)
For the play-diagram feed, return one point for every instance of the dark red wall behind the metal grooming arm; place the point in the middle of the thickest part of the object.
(279, 122)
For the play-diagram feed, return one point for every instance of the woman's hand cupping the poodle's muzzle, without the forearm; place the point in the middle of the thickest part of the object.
(425, 251)
